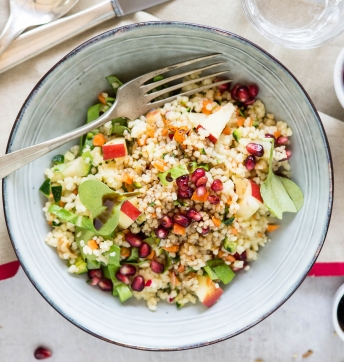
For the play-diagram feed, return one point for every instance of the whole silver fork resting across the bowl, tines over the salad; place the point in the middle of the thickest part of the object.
(132, 101)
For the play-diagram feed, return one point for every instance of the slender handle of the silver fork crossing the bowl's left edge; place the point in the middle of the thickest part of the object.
(15, 160)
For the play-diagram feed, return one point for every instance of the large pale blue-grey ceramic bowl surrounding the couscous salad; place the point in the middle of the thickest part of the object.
(58, 104)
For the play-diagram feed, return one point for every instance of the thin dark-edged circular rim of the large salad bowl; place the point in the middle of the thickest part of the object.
(130, 27)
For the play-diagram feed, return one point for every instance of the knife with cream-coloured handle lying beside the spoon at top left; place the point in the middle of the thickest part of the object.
(38, 40)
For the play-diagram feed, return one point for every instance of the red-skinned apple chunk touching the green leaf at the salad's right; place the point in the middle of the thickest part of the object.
(250, 202)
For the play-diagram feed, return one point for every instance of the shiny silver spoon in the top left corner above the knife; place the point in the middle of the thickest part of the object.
(25, 13)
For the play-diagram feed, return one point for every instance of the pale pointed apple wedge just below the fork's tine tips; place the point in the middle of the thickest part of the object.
(216, 122)
